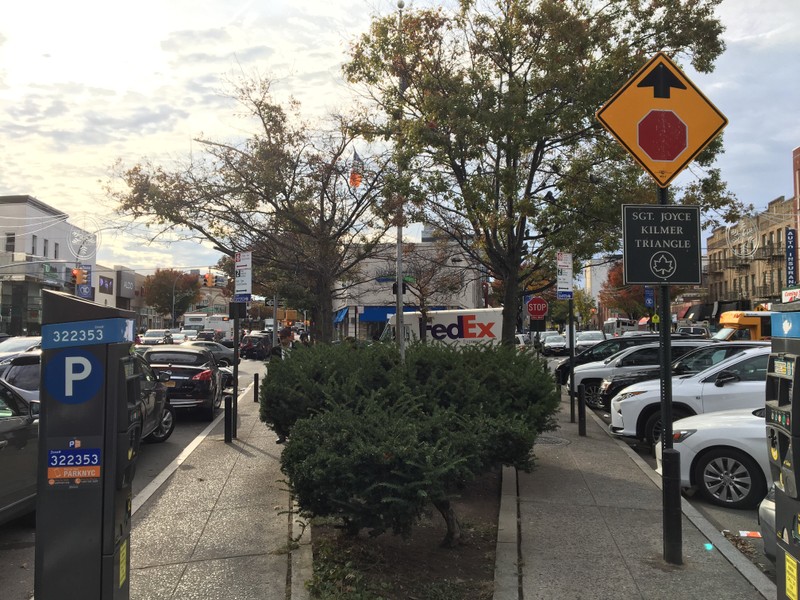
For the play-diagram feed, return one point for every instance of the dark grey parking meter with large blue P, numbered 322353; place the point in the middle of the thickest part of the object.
(89, 435)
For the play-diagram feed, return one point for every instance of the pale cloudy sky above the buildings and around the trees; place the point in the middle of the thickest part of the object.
(84, 84)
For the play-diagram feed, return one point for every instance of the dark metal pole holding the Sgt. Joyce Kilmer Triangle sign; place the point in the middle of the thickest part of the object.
(670, 458)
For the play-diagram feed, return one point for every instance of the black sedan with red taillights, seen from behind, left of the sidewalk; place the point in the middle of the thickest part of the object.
(195, 380)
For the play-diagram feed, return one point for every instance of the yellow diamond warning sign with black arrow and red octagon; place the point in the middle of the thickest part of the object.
(662, 119)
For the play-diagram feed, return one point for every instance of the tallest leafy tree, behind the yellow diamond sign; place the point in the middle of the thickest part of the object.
(492, 111)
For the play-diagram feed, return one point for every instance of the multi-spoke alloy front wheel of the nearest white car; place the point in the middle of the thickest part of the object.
(729, 477)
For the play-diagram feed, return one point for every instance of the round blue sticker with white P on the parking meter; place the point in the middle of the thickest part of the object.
(73, 376)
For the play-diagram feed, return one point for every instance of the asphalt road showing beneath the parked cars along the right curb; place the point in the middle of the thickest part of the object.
(732, 521)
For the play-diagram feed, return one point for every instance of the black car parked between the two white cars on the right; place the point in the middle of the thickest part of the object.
(692, 362)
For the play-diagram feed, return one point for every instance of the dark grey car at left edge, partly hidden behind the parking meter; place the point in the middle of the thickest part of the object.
(19, 449)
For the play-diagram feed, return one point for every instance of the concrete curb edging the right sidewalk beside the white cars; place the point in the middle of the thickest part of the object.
(746, 568)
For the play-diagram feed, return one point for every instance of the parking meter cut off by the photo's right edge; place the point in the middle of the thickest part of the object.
(782, 416)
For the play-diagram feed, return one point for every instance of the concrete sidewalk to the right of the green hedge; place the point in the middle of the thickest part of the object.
(587, 523)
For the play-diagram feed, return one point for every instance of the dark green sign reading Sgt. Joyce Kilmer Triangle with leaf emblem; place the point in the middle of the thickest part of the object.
(661, 244)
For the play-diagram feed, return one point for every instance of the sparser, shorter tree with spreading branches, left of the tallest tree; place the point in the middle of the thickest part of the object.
(283, 194)
